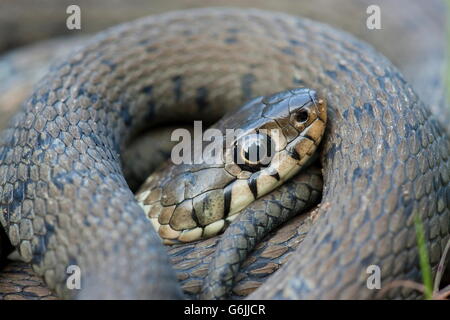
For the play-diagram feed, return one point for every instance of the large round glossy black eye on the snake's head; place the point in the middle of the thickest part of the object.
(253, 151)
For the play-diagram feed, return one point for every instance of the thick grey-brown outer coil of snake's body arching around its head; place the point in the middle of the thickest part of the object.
(384, 155)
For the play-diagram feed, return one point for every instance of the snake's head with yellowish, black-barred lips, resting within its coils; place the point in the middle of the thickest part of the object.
(272, 139)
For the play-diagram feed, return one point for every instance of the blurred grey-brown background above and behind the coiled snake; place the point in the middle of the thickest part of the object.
(24, 22)
